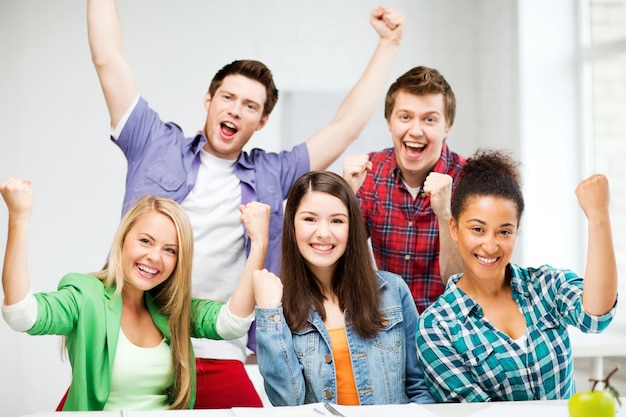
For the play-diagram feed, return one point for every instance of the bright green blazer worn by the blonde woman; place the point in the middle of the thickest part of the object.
(89, 316)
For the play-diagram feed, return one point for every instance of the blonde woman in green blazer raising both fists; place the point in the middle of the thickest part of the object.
(127, 327)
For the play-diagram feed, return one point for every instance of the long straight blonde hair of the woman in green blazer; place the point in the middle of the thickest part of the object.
(173, 296)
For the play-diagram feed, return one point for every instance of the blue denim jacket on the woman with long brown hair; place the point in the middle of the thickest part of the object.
(298, 367)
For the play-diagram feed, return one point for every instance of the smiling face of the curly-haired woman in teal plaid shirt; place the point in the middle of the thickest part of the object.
(485, 233)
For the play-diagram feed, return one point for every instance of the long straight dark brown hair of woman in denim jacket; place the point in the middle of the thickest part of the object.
(355, 282)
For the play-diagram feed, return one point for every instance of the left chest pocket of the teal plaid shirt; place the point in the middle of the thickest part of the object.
(482, 361)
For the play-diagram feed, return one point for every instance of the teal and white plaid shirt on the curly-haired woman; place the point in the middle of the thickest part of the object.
(465, 358)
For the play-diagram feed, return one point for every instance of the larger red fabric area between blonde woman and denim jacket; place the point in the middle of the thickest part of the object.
(224, 384)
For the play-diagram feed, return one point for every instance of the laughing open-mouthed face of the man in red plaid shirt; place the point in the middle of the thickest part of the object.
(418, 129)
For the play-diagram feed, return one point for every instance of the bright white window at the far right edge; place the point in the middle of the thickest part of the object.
(604, 69)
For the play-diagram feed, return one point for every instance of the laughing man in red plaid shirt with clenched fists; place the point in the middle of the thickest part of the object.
(405, 191)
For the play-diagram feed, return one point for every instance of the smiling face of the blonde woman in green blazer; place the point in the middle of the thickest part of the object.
(149, 252)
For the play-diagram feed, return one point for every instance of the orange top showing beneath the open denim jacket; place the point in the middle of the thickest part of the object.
(346, 387)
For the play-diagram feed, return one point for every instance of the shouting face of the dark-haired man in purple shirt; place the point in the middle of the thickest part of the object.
(234, 113)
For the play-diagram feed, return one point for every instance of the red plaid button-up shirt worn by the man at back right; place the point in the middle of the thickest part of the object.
(404, 231)
